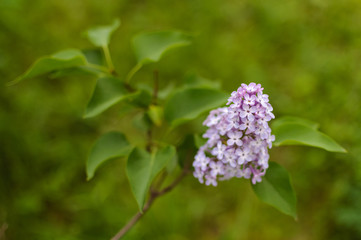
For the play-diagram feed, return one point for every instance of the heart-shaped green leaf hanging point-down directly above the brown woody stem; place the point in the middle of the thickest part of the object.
(143, 167)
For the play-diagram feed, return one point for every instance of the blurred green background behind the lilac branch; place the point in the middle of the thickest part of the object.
(306, 54)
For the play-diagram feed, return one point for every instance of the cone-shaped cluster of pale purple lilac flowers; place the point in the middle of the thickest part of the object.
(238, 138)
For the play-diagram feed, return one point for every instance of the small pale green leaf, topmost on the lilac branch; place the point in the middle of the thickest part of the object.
(100, 35)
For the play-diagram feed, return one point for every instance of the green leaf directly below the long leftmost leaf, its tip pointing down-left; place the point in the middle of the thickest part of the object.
(108, 91)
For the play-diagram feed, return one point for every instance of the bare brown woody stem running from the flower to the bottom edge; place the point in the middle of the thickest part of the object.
(154, 195)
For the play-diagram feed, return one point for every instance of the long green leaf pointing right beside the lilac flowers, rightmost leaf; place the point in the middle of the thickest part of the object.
(294, 133)
